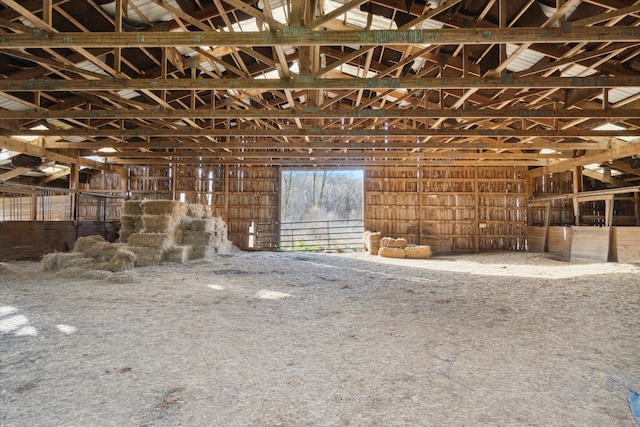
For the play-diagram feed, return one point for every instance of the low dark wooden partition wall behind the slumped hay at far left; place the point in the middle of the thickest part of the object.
(32, 239)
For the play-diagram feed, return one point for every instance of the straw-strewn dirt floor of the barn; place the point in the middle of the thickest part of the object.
(275, 339)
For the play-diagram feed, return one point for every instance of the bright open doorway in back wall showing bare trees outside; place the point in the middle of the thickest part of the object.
(321, 210)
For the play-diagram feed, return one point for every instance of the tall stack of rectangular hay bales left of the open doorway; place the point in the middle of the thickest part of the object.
(172, 231)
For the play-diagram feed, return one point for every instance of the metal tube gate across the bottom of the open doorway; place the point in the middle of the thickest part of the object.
(338, 235)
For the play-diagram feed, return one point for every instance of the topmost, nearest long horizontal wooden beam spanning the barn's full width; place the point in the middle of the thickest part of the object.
(298, 36)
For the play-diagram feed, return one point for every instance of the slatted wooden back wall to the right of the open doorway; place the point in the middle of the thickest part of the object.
(459, 208)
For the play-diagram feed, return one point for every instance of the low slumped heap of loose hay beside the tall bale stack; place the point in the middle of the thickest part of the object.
(91, 253)
